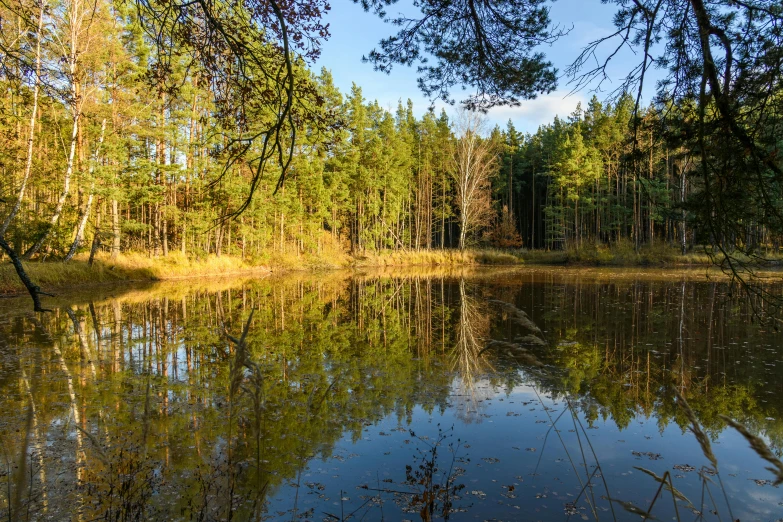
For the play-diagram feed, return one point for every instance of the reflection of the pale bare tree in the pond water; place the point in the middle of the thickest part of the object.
(467, 358)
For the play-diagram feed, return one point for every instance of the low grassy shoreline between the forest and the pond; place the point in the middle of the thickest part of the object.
(135, 268)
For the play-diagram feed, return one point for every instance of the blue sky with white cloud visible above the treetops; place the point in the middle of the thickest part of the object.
(355, 33)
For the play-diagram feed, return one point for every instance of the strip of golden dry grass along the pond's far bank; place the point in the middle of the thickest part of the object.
(137, 267)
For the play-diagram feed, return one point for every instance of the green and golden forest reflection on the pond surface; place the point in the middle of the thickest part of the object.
(121, 405)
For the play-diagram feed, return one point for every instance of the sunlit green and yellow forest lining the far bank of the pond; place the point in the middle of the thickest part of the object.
(108, 148)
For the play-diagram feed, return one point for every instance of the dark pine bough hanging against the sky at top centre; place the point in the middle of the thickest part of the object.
(489, 46)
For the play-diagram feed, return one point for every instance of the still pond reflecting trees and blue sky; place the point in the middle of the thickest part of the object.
(497, 394)
